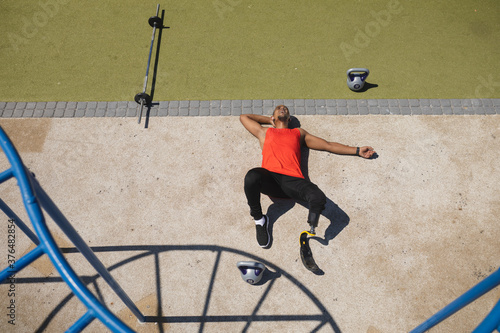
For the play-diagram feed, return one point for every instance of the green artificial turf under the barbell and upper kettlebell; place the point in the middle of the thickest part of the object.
(67, 50)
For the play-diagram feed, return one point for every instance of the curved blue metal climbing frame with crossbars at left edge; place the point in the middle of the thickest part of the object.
(34, 198)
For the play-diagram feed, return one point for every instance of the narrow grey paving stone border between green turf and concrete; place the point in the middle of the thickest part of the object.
(237, 107)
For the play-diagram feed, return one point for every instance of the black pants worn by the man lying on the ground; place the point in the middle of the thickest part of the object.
(260, 180)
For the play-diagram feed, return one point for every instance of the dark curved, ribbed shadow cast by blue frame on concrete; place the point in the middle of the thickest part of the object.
(323, 318)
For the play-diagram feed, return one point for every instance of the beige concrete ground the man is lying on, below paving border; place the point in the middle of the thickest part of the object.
(163, 208)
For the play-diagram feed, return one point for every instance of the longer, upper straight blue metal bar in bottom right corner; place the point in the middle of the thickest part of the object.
(468, 297)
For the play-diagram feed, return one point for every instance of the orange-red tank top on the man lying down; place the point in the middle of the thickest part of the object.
(281, 151)
